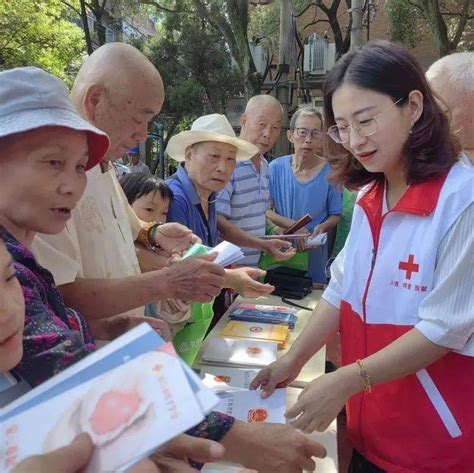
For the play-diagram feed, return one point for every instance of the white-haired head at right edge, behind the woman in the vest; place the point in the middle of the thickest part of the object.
(452, 79)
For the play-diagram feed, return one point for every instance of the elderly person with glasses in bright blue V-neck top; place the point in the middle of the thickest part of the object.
(299, 185)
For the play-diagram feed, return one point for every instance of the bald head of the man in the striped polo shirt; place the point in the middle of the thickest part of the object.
(261, 122)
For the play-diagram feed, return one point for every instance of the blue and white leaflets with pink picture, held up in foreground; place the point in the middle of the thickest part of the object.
(131, 396)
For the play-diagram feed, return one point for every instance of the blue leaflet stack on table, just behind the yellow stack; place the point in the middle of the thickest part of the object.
(268, 314)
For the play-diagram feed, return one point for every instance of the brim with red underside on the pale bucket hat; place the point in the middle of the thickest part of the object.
(28, 120)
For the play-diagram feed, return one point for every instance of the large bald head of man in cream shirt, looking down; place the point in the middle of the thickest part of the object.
(119, 90)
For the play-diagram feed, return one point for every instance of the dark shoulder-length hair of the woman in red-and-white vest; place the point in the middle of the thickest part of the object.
(389, 69)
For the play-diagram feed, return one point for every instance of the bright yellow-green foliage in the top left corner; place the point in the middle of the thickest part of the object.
(38, 33)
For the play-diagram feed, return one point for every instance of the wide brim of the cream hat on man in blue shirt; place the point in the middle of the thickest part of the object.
(178, 143)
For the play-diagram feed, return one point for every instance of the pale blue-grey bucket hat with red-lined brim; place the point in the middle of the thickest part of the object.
(30, 98)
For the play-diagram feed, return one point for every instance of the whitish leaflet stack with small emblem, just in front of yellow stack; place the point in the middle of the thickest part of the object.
(227, 351)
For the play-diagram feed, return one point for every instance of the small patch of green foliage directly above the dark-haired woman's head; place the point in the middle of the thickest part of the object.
(404, 22)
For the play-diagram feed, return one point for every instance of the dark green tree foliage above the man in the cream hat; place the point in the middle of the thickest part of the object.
(196, 66)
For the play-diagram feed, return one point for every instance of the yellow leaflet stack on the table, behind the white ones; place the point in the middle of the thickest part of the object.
(257, 331)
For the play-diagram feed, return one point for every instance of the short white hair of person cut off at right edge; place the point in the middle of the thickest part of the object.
(455, 69)
